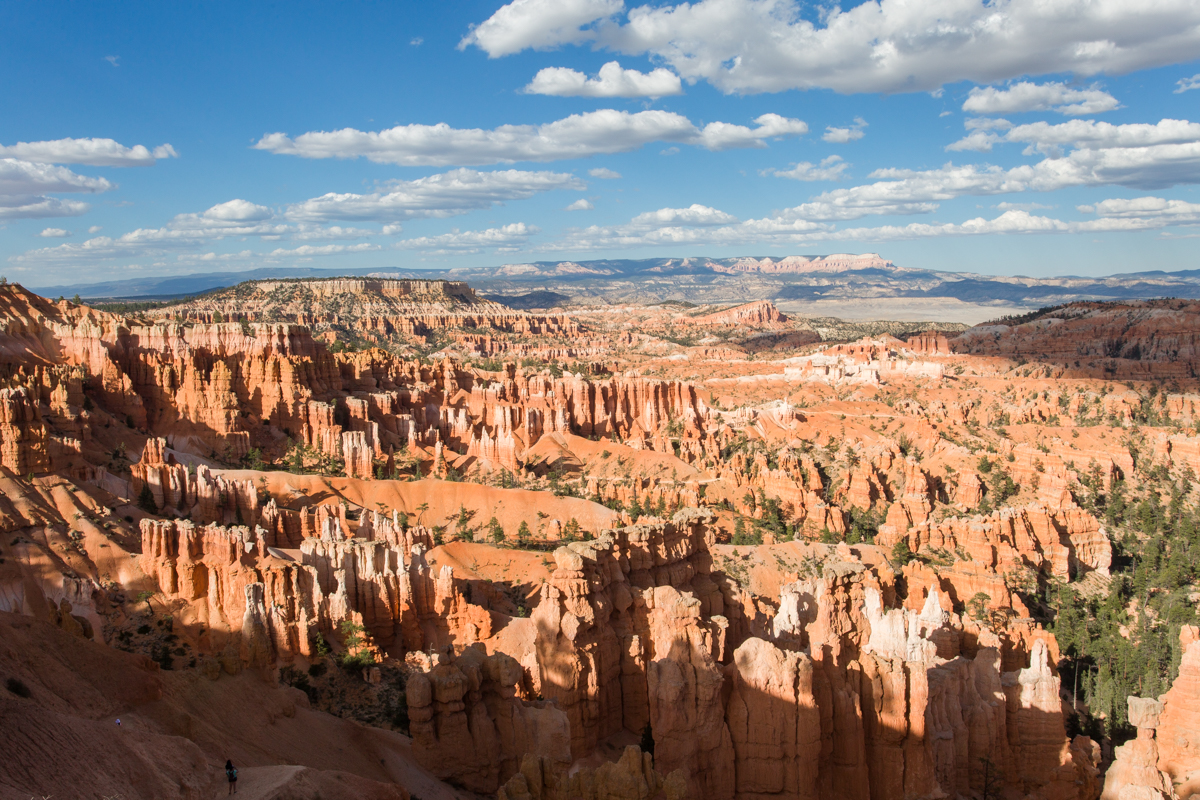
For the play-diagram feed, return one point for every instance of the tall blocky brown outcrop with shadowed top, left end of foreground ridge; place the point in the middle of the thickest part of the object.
(631, 631)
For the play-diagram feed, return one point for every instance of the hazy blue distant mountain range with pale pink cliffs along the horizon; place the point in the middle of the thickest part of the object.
(704, 281)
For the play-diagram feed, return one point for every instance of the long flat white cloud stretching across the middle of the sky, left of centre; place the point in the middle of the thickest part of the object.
(607, 131)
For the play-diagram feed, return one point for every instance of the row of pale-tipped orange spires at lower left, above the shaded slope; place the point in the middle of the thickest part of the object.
(401, 601)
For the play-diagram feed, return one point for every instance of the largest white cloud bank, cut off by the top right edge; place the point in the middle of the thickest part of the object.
(881, 46)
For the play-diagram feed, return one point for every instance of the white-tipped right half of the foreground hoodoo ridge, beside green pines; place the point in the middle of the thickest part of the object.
(902, 713)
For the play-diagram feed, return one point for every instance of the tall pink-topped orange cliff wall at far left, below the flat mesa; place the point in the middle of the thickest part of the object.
(206, 384)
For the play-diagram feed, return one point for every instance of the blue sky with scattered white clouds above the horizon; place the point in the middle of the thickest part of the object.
(1042, 137)
